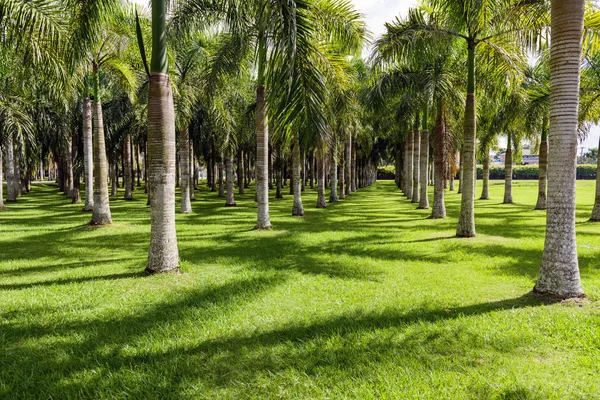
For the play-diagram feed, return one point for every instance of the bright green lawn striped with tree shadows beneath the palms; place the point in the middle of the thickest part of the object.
(365, 299)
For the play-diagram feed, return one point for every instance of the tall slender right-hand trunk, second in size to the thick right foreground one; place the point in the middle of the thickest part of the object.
(466, 220)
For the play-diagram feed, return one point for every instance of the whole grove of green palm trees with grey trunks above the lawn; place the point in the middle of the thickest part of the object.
(269, 90)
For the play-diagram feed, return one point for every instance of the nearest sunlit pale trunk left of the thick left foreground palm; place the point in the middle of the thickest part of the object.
(101, 213)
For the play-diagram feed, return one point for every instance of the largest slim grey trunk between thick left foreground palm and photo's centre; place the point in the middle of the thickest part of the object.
(263, 220)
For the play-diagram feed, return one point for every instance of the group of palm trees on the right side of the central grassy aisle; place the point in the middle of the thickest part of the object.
(419, 63)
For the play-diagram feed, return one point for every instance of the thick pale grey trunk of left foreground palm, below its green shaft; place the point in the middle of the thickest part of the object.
(163, 254)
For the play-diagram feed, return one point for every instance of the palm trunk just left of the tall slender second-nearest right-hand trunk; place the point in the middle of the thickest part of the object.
(440, 160)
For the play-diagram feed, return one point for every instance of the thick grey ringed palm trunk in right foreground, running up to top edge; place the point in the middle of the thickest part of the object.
(559, 273)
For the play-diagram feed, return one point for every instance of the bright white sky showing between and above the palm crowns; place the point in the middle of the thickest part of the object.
(377, 12)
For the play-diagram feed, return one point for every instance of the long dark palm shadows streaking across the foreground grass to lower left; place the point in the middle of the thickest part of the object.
(127, 345)
